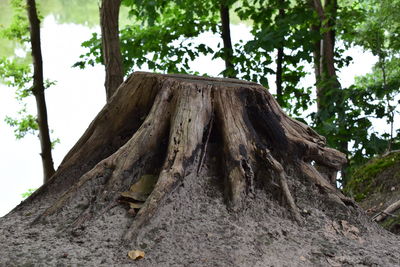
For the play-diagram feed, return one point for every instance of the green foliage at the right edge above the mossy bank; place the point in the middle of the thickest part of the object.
(350, 113)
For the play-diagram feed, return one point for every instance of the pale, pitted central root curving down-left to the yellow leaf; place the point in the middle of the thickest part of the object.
(192, 114)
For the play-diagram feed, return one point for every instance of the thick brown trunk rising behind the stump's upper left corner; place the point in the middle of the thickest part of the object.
(109, 14)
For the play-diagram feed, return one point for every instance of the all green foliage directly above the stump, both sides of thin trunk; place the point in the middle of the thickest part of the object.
(162, 36)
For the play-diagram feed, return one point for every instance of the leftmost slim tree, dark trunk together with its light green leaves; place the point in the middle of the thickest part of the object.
(16, 73)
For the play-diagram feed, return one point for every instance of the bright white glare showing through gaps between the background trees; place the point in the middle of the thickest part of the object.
(78, 97)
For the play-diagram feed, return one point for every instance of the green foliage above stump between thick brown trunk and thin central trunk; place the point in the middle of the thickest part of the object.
(160, 36)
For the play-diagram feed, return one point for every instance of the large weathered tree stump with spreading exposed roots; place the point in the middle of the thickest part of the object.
(156, 130)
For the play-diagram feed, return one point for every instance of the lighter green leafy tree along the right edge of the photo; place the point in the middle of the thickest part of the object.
(377, 33)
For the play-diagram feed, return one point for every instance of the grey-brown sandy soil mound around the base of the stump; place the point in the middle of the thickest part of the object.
(194, 228)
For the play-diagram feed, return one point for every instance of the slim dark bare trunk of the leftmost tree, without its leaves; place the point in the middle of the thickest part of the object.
(38, 92)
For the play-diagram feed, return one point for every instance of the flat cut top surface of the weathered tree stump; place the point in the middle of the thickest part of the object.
(201, 79)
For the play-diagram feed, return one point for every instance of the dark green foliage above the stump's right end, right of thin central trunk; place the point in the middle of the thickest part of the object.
(271, 32)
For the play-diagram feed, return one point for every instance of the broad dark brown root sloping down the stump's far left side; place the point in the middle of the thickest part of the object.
(113, 126)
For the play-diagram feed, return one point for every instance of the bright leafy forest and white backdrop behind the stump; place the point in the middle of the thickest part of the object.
(273, 43)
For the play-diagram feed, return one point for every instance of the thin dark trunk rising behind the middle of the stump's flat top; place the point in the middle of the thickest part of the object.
(226, 37)
